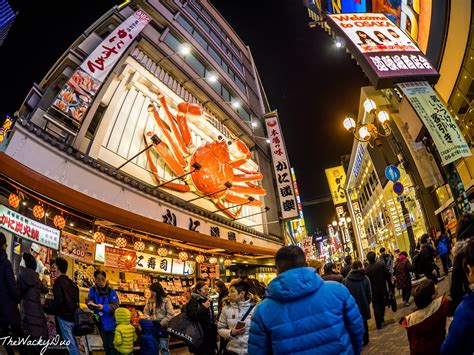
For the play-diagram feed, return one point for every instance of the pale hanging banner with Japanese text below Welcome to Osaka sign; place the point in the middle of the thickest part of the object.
(443, 130)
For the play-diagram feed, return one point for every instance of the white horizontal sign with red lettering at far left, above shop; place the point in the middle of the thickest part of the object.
(28, 228)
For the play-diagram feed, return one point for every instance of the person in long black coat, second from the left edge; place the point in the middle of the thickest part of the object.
(30, 287)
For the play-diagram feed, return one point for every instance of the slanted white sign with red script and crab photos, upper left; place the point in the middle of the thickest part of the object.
(78, 93)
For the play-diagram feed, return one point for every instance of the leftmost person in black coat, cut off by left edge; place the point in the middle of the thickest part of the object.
(10, 322)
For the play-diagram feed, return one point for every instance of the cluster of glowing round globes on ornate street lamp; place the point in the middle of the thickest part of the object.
(370, 131)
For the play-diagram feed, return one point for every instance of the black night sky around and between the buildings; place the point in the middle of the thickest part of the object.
(311, 83)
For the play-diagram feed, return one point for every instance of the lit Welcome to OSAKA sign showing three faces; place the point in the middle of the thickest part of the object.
(384, 51)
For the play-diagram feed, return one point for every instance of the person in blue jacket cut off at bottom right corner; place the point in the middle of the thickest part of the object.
(460, 339)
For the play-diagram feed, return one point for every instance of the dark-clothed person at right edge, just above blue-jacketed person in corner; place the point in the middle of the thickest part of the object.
(459, 282)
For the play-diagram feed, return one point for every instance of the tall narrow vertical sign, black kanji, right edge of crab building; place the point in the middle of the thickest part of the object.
(281, 166)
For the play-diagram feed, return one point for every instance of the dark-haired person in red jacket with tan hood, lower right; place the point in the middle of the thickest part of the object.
(426, 327)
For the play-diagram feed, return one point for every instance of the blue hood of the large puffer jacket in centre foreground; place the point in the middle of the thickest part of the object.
(294, 284)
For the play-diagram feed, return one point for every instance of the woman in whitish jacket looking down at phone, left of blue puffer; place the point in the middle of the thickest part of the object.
(234, 321)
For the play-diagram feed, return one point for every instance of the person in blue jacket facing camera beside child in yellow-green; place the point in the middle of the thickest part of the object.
(103, 300)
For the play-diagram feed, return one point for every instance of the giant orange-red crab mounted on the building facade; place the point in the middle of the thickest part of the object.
(213, 169)
